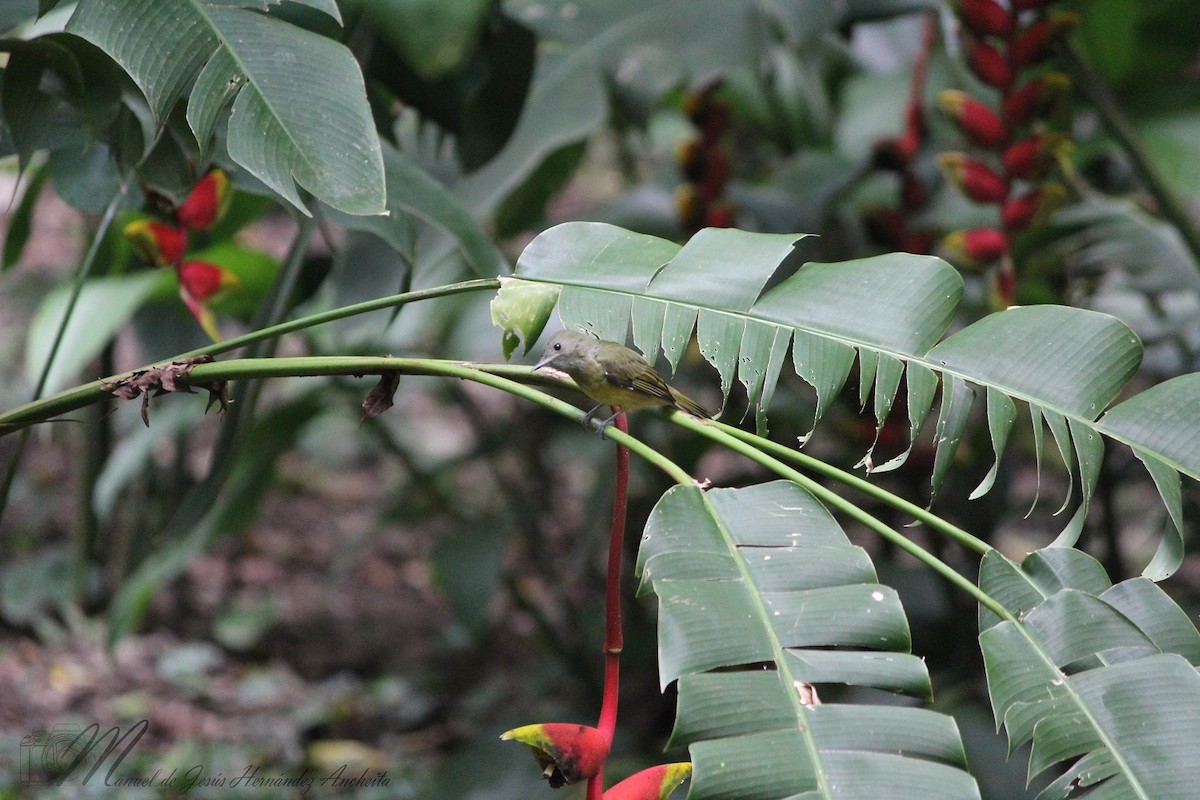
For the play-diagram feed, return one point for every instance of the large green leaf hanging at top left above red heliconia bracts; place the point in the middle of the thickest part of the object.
(299, 116)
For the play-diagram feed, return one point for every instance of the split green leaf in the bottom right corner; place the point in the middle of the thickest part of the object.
(1102, 679)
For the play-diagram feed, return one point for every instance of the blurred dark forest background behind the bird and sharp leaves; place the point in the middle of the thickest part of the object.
(393, 593)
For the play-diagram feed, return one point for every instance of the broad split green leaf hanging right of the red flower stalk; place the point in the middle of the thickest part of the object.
(761, 597)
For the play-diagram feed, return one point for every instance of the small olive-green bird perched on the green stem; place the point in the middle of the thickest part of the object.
(613, 375)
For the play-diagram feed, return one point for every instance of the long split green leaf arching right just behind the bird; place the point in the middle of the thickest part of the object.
(892, 312)
